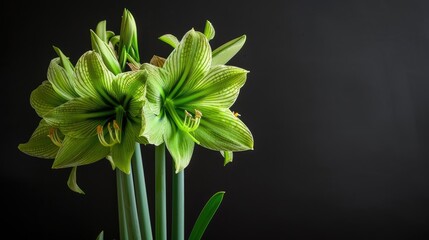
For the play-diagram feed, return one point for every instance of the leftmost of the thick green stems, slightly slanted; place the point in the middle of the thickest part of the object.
(130, 206)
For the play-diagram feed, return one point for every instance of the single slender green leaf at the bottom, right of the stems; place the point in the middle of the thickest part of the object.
(206, 216)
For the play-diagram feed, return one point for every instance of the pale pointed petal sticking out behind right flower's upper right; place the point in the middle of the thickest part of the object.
(224, 53)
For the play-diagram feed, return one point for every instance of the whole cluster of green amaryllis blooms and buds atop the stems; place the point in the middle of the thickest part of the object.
(100, 107)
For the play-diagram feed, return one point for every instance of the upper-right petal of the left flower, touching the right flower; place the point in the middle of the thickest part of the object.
(130, 89)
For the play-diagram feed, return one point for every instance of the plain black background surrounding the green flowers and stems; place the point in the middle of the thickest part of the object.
(337, 99)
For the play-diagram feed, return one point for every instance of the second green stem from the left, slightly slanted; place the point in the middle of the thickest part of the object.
(141, 195)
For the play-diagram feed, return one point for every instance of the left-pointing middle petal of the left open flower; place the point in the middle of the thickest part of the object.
(79, 117)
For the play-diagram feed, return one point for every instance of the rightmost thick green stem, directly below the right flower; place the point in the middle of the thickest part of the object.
(178, 208)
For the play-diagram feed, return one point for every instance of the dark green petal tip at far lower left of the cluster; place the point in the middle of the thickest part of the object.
(39, 144)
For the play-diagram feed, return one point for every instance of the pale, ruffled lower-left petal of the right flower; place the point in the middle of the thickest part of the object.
(155, 126)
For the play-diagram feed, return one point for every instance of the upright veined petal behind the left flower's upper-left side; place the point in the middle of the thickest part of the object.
(61, 80)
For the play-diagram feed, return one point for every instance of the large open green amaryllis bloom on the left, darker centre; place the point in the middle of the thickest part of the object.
(103, 117)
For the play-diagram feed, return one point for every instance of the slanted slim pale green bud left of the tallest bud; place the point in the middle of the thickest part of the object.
(106, 52)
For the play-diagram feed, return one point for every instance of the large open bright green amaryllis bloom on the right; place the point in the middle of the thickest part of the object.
(189, 101)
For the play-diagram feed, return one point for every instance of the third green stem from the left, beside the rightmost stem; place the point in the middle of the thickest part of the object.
(160, 194)
